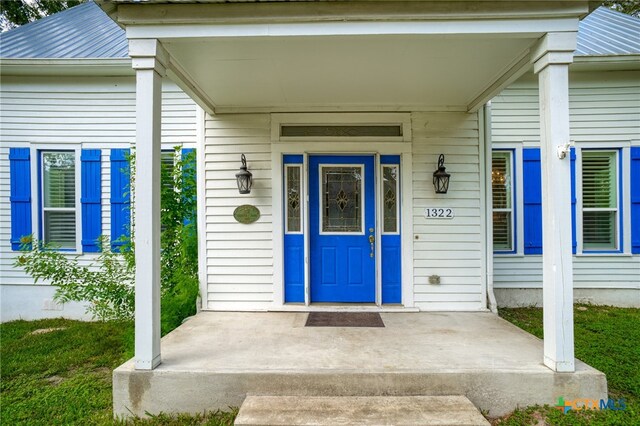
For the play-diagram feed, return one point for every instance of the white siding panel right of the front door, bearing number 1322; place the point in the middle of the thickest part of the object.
(448, 248)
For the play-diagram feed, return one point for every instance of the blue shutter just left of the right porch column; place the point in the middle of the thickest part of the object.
(532, 195)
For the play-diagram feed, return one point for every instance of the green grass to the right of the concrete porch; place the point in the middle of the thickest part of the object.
(607, 339)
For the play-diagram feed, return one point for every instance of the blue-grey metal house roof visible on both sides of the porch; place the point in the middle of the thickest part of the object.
(85, 31)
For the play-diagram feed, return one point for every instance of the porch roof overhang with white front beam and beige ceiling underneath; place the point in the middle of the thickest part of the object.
(344, 55)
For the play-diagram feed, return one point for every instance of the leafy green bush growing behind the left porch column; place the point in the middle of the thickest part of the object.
(108, 282)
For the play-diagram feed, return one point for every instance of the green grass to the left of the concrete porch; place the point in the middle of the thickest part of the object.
(58, 371)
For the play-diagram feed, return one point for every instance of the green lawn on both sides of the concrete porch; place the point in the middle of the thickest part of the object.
(59, 371)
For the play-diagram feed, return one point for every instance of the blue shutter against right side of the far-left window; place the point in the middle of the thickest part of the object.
(91, 198)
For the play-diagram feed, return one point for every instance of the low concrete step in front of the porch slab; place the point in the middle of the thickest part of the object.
(359, 410)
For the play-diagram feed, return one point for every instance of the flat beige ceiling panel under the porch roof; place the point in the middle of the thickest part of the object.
(365, 72)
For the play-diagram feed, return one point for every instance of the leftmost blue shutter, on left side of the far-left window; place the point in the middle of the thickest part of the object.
(20, 195)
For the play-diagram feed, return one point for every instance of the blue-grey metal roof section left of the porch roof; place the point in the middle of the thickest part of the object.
(84, 31)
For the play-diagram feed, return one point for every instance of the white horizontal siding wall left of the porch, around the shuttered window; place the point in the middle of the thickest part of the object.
(95, 112)
